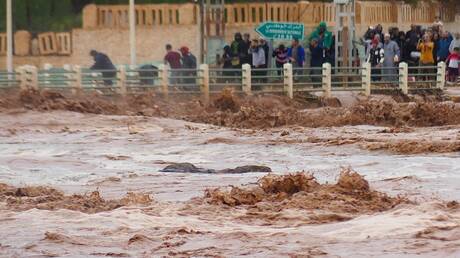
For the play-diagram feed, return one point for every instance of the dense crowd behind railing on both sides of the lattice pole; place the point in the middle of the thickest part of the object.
(418, 47)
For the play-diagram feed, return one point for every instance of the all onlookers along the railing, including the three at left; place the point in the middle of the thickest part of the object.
(383, 50)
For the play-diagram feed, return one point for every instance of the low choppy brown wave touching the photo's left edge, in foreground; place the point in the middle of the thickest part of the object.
(46, 198)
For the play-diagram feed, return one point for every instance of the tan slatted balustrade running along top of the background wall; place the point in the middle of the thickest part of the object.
(116, 16)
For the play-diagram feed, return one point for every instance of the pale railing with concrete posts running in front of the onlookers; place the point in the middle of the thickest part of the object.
(204, 80)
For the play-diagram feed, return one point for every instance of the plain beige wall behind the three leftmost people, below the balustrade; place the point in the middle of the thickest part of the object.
(115, 43)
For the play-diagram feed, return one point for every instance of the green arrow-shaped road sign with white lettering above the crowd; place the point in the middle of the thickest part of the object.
(280, 30)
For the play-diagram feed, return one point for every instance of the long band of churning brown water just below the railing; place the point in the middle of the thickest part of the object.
(250, 112)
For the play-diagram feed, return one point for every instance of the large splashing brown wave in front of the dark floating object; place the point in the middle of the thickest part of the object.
(299, 198)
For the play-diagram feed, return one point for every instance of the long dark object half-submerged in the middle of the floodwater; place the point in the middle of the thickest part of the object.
(190, 168)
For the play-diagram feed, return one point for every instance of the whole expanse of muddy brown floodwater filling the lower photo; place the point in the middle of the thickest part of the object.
(86, 185)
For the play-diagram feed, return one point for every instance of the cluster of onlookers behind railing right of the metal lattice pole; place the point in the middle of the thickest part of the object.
(417, 47)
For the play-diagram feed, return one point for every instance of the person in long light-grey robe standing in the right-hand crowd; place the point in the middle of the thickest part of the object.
(392, 54)
